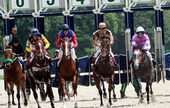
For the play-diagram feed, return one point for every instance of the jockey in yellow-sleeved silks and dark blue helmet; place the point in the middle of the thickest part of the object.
(34, 36)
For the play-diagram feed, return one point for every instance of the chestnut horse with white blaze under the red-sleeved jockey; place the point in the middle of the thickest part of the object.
(67, 72)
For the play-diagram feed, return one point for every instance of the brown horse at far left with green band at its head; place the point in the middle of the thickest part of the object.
(14, 75)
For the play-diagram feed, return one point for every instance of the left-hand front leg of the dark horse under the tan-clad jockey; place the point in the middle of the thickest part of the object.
(97, 81)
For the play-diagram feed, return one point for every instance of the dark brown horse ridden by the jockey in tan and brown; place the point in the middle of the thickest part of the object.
(104, 69)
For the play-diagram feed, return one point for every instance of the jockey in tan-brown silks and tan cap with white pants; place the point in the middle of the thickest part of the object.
(97, 38)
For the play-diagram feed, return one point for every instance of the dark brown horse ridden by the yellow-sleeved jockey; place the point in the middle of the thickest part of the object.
(39, 73)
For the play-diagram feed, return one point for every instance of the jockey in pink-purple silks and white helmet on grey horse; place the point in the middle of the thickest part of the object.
(141, 40)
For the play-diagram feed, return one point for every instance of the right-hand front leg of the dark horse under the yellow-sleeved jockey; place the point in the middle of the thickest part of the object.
(50, 93)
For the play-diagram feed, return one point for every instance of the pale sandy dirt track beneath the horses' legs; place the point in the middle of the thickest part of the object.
(88, 98)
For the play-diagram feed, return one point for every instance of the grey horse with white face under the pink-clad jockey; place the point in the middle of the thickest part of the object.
(143, 70)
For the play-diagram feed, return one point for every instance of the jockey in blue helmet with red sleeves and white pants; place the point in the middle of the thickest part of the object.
(66, 32)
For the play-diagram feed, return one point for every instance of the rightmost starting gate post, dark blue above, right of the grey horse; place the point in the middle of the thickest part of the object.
(159, 42)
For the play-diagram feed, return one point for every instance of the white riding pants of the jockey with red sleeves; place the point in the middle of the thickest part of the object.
(60, 55)
